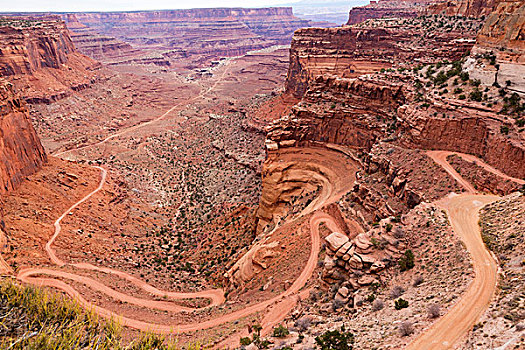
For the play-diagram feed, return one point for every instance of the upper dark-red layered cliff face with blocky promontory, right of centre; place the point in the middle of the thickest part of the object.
(353, 51)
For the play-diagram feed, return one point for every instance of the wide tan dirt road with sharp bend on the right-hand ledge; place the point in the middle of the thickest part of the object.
(463, 211)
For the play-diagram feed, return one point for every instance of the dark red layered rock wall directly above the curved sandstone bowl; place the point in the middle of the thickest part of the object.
(348, 112)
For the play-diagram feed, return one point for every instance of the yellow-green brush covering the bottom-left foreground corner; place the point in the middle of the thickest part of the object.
(37, 319)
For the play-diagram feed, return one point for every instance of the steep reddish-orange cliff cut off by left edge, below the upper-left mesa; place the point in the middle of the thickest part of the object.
(21, 153)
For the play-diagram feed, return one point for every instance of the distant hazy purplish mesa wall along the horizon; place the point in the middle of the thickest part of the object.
(228, 31)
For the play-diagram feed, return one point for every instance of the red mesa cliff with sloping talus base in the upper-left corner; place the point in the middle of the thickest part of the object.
(40, 59)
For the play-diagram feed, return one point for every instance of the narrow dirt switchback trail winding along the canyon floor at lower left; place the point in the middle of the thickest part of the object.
(27, 276)
